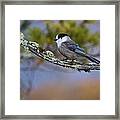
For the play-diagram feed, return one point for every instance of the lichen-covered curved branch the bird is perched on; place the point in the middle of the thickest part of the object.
(49, 56)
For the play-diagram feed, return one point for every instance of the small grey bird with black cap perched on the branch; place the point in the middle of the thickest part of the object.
(72, 51)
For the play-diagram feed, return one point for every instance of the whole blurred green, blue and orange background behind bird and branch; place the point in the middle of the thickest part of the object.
(41, 80)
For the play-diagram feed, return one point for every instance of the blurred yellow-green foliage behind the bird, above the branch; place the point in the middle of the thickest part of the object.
(78, 31)
